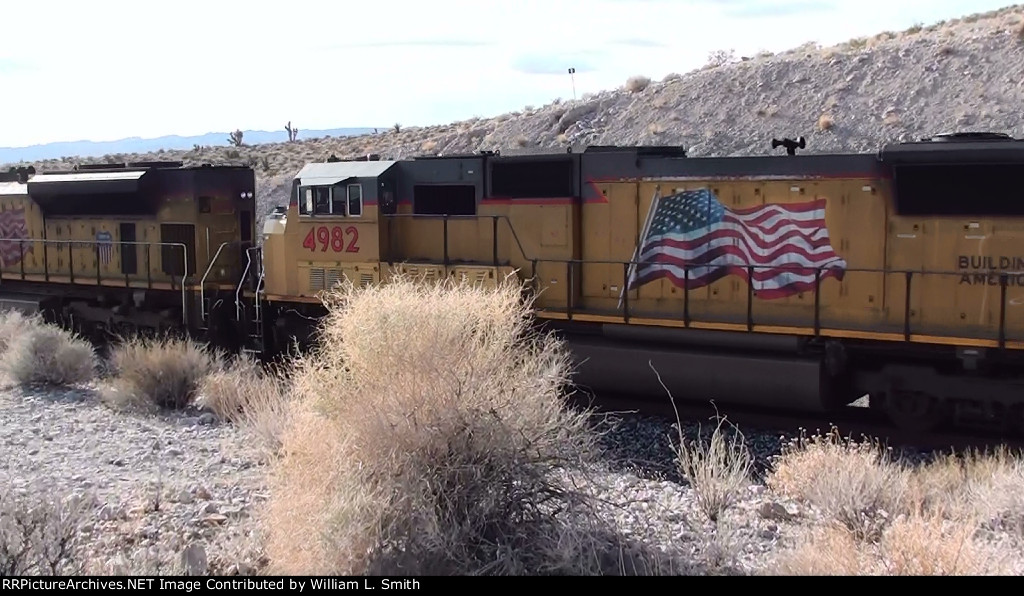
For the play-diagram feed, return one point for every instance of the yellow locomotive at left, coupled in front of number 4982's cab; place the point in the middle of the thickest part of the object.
(125, 247)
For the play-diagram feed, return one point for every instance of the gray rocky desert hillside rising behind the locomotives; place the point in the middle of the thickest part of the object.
(958, 75)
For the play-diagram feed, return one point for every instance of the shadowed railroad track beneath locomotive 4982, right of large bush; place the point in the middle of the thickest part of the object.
(851, 421)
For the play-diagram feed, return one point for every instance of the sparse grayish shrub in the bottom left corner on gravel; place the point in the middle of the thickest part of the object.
(40, 538)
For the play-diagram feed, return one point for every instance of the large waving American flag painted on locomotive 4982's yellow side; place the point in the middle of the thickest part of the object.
(693, 229)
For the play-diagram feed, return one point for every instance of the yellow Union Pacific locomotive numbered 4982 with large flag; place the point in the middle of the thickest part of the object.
(797, 282)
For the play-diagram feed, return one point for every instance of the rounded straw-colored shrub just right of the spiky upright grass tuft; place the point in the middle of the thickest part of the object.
(855, 484)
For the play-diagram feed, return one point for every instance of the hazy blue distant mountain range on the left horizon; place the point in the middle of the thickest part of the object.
(142, 146)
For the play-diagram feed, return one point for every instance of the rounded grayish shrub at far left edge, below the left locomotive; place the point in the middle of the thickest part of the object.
(49, 355)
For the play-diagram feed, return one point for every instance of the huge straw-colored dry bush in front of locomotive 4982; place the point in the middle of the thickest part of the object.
(429, 437)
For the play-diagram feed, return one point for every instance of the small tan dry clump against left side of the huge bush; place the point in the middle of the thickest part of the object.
(243, 393)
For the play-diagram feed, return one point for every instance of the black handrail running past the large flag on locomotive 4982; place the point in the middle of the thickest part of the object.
(909, 275)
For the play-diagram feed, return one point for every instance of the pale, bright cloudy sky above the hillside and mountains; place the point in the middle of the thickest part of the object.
(106, 70)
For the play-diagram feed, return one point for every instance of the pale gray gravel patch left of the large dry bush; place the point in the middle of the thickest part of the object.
(156, 484)
